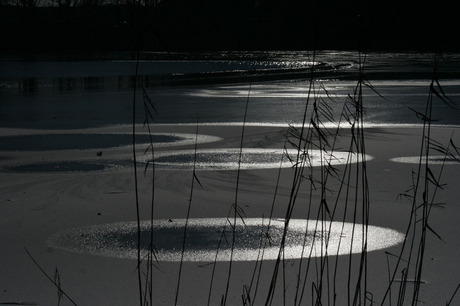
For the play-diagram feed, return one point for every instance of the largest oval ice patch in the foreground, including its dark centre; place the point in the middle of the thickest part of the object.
(211, 238)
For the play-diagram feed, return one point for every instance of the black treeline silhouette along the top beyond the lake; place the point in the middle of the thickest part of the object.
(205, 25)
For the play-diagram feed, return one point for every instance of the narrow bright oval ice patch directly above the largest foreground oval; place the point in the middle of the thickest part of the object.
(254, 158)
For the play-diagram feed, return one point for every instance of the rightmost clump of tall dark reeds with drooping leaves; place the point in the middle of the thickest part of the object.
(424, 189)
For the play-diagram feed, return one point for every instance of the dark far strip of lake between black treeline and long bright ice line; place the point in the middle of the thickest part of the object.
(80, 93)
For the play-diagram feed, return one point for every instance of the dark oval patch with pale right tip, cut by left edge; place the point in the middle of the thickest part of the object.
(84, 141)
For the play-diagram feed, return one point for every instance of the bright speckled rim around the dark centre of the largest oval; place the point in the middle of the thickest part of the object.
(342, 238)
